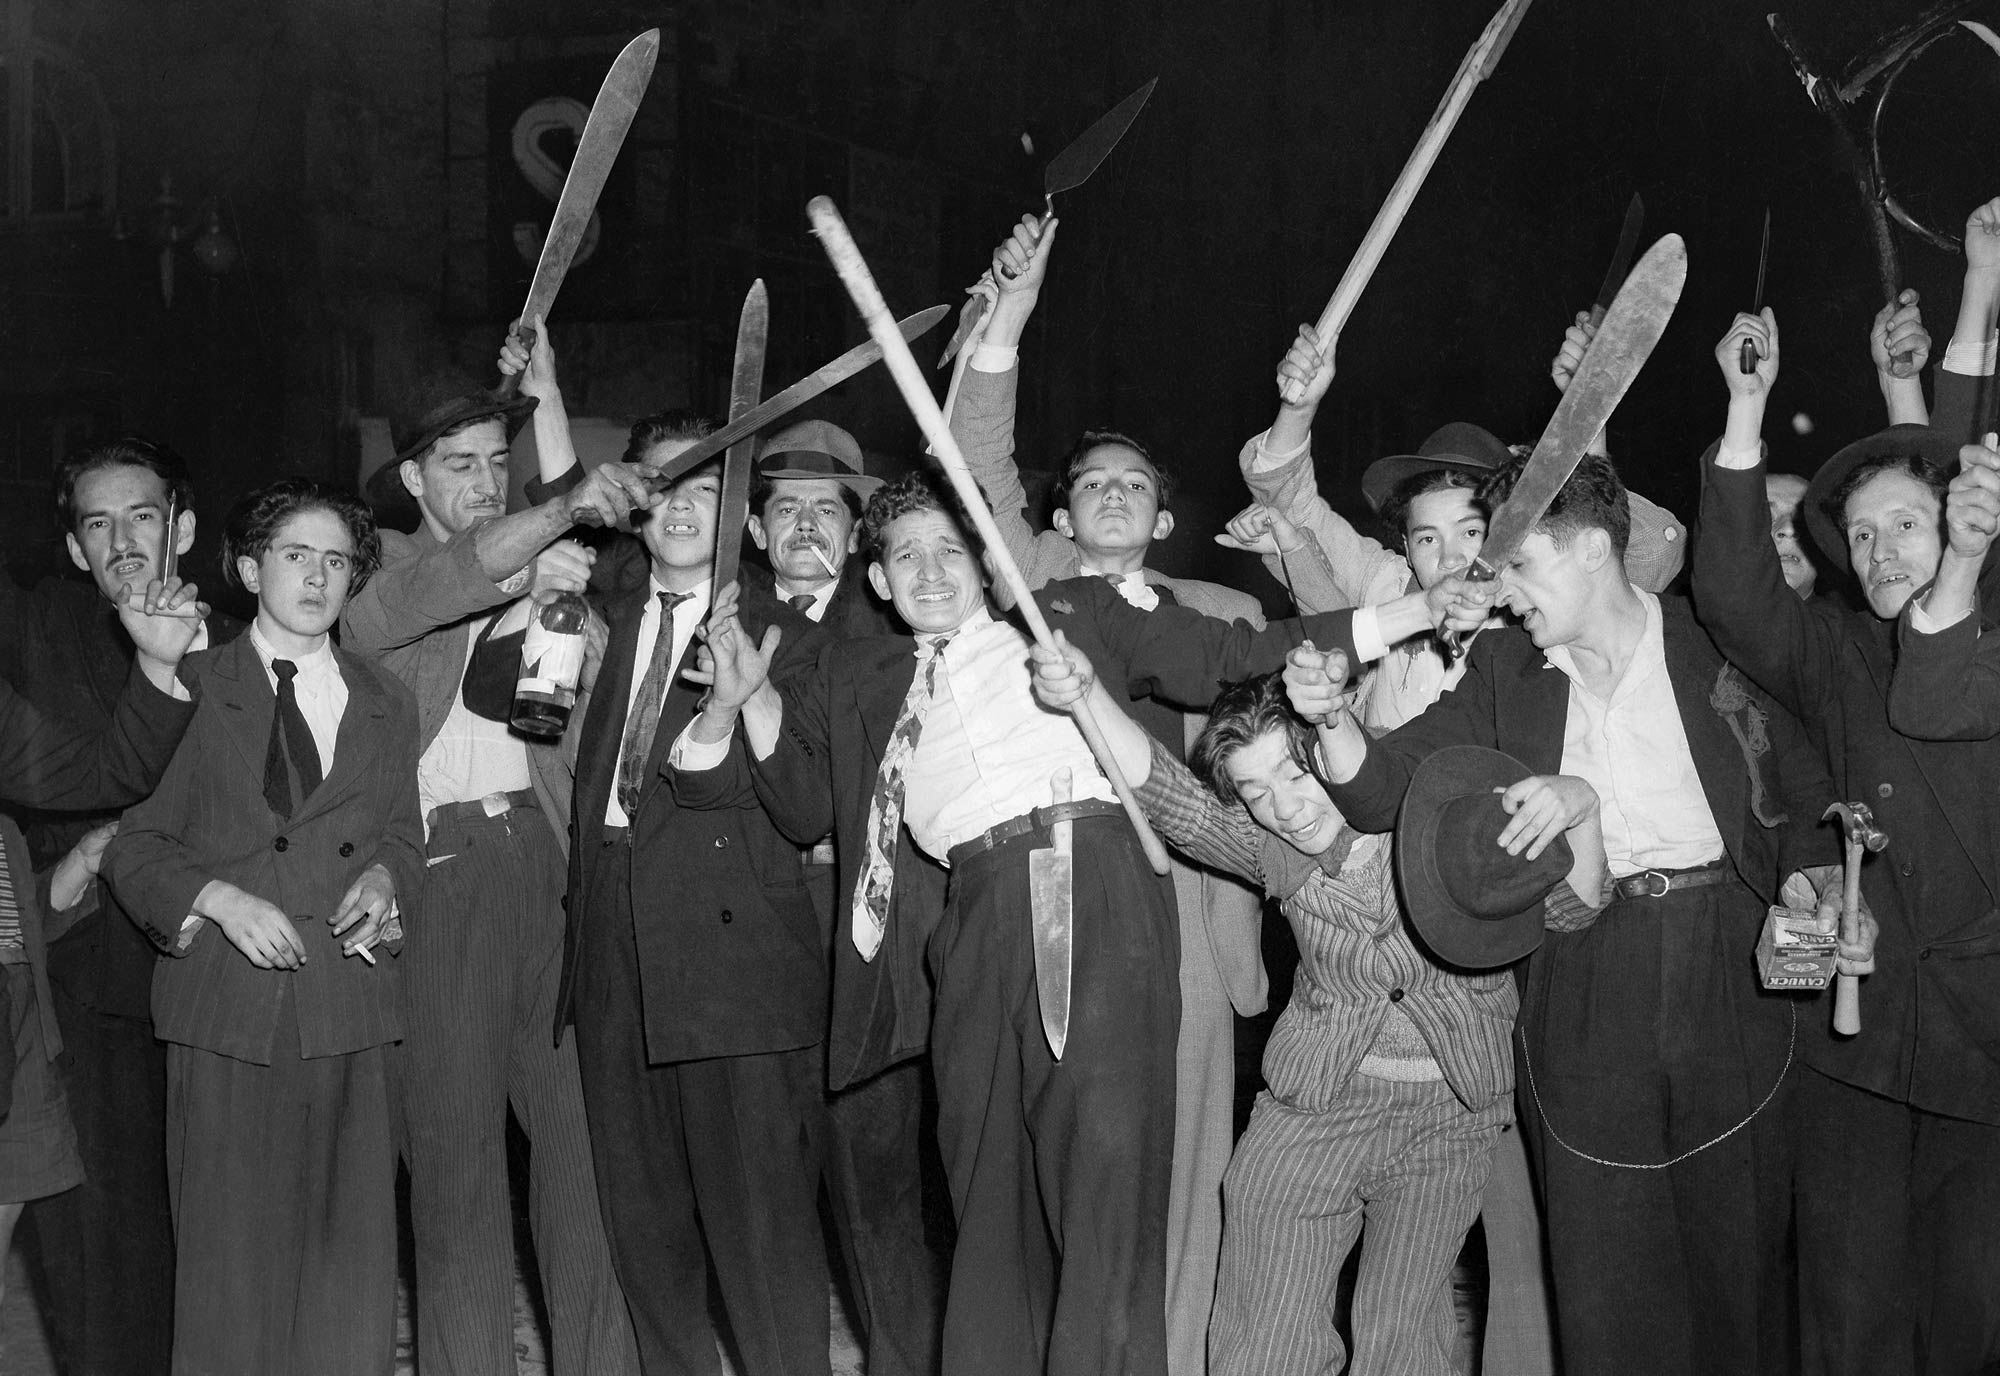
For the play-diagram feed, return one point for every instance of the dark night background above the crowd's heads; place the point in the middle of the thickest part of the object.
(357, 153)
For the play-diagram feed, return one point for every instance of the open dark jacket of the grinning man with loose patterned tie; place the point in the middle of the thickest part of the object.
(839, 719)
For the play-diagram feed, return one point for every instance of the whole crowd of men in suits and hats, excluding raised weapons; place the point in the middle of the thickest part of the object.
(829, 877)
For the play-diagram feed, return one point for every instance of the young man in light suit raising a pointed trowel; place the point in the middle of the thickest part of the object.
(1113, 507)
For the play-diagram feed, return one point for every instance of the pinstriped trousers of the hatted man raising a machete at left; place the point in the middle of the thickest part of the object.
(479, 985)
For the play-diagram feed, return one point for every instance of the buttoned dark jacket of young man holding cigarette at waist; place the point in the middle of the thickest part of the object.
(209, 821)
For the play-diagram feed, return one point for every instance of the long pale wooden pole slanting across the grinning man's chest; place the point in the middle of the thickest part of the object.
(847, 259)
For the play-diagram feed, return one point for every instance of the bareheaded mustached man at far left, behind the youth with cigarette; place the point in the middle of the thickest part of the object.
(107, 1247)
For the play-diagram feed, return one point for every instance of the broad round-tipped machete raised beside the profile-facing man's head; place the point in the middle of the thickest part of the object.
(1631, 329)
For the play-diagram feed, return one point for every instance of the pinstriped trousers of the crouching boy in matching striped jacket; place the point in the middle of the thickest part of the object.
(1399, 1167)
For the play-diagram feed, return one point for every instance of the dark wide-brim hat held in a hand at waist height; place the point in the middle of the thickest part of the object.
(1471, 903)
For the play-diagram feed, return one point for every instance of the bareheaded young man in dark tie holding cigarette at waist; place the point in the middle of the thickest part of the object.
(269, 865)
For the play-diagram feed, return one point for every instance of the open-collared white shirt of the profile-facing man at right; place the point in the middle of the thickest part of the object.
(1633, 749)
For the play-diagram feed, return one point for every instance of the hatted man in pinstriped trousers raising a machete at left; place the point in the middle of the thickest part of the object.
(483, 967)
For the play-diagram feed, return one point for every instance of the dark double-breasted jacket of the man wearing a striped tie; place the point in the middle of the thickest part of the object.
(729, 949)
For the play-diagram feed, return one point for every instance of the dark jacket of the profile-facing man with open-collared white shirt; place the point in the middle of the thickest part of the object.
(1757, 769)
